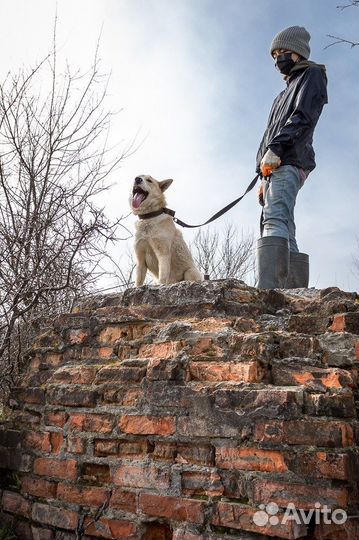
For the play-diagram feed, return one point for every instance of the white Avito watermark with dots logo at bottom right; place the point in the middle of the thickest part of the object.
(267, 515)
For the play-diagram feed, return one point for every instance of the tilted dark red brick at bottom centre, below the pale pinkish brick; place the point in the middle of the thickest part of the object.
(174, 508)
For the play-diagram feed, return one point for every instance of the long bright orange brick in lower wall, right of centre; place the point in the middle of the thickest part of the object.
(252, 459)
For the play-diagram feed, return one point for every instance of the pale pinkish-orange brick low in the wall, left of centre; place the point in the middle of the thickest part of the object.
(146, 475)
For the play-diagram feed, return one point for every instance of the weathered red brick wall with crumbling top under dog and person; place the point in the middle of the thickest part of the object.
(179, 412)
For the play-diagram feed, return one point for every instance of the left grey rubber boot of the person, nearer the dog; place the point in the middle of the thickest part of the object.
(273, 262)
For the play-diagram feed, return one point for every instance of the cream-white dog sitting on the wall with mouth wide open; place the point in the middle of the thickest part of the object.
(159, 245)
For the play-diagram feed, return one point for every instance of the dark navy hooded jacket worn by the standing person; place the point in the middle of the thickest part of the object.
(294, 115)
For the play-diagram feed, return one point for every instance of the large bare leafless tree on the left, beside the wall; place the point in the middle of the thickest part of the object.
(54, 162)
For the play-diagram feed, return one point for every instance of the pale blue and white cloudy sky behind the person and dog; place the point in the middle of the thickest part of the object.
(193, 82)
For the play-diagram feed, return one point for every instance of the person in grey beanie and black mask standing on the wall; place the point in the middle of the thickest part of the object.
(286, 157)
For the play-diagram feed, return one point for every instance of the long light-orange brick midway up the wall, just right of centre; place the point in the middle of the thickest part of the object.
(225, 371)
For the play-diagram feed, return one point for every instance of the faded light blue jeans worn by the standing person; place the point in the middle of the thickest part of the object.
(279, 201)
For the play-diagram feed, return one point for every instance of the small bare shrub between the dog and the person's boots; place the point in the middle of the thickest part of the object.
(226, 255)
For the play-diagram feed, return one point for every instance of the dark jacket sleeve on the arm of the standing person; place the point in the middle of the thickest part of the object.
(308, 106)
